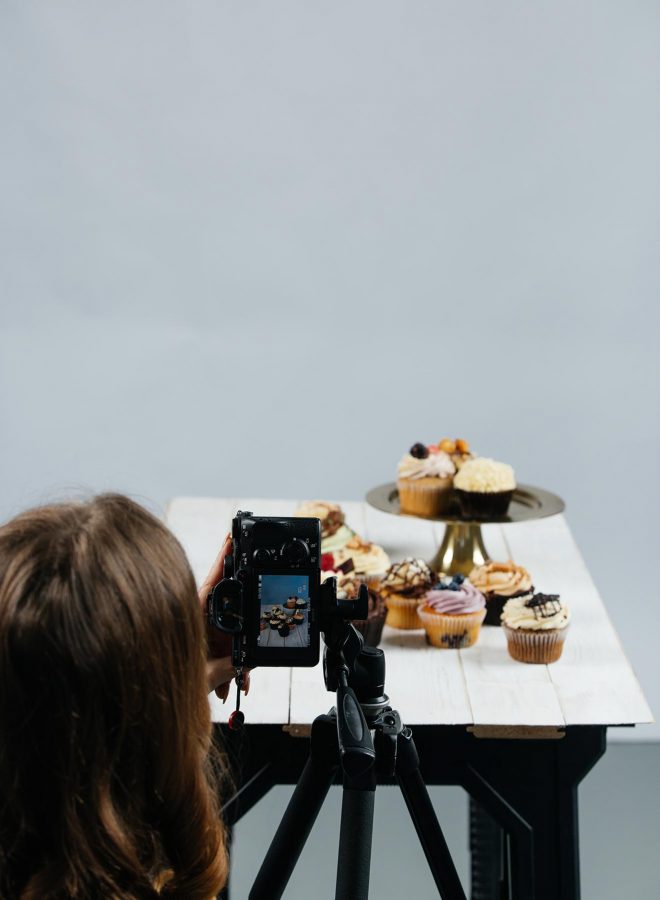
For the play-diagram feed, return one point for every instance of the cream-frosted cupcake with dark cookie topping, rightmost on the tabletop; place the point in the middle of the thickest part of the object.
(535, 627)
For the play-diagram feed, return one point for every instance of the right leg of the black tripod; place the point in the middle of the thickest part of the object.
(425, 820)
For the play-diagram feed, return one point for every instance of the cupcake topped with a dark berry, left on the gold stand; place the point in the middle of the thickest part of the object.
(424, 481)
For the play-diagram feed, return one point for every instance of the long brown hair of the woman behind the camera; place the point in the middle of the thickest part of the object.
(106, 780)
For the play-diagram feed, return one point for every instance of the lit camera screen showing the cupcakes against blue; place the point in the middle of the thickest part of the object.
(284, 609)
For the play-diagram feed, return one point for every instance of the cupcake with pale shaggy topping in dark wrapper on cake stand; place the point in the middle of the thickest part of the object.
(484, 488)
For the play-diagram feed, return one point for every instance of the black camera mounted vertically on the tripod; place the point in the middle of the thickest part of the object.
(271, 599)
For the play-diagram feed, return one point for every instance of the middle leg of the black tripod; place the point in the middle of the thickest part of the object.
(354, 861)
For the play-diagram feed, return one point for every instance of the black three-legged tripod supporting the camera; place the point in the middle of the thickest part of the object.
(342, 738)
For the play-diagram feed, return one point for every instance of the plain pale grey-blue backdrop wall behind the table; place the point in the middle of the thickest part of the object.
(261, 248)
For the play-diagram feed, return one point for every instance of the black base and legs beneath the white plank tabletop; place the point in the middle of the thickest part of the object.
(523, 816)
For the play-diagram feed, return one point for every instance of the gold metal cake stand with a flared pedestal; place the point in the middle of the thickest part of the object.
(462, 545)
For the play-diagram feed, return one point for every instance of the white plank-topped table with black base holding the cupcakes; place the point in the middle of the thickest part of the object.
(519, 738)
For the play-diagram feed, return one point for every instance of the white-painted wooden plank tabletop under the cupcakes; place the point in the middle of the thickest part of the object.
(593, 683)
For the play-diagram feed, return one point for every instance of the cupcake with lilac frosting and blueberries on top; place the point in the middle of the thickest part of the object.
(452, 613)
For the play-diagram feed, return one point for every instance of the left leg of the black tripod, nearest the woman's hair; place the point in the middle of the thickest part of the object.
(301, 812)
